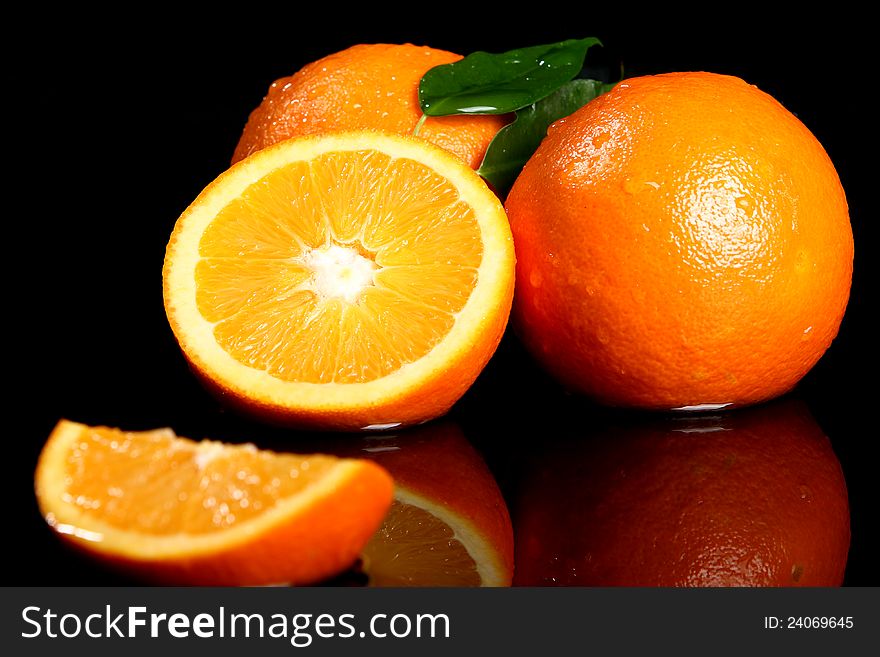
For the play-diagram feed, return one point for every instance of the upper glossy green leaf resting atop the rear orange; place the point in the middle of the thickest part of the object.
(484, 83)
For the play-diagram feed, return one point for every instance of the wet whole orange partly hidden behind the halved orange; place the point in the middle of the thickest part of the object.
(368, 86)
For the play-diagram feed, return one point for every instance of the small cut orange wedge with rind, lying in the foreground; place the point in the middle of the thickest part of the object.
(182, 512)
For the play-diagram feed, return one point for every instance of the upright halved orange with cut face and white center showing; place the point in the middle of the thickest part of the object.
(346, 281)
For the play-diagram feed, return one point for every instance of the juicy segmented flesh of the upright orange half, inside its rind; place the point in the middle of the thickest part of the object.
(336, 269)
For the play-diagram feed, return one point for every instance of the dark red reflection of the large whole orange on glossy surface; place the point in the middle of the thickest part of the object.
(755, 497)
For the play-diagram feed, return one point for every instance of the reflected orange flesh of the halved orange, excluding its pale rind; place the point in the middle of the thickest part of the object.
(415, 548)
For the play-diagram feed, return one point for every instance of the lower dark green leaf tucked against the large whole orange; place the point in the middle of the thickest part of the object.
(516, 142)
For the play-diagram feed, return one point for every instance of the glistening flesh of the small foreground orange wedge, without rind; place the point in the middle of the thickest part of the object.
(174, 485)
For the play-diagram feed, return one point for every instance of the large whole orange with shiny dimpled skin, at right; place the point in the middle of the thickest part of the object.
(681, 240)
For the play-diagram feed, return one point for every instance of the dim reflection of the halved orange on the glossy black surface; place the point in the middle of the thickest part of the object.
(448, 524)
